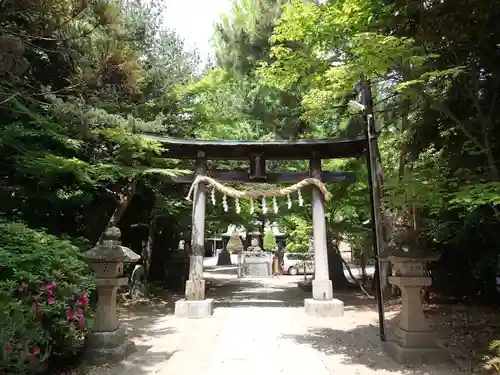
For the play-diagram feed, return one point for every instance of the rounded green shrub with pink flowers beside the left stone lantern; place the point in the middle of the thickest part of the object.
(43, 298)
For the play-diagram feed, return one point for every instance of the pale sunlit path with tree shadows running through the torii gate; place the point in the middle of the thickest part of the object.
(259, 327)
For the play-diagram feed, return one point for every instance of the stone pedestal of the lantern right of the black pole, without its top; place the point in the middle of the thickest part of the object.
(413, 342)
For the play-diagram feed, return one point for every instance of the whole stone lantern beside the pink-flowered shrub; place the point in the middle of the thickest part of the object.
(108, 340)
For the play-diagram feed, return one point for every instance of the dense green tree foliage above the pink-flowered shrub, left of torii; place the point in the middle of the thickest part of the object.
(68, 141)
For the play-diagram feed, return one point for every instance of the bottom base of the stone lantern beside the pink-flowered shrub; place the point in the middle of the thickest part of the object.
(108, 347)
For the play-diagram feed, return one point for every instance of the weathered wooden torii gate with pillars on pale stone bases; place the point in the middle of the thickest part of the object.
(257, 153)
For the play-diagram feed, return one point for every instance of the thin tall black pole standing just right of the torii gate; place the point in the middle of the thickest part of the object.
(372, 155)
